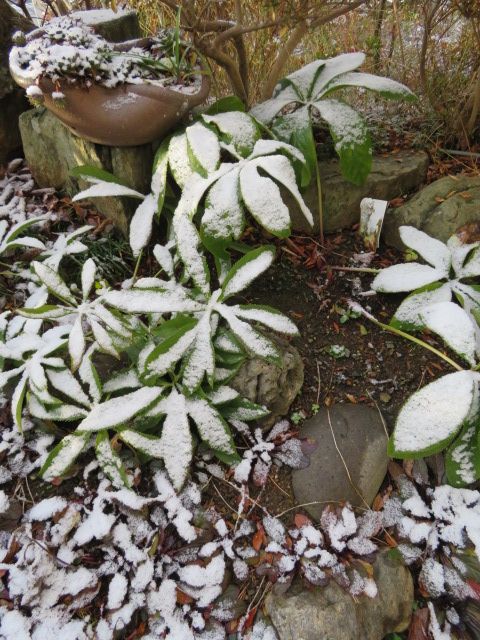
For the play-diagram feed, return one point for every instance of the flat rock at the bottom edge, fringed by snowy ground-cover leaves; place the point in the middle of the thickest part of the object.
(330, 613)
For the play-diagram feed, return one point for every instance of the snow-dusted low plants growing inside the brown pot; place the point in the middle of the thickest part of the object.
(68, 49)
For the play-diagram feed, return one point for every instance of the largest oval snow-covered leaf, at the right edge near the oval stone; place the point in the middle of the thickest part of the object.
(433, 416)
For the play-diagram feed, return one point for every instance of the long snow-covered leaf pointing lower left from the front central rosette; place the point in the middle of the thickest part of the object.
(117, 411)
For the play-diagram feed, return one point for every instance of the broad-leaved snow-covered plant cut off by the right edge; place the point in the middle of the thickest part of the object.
(445, 413)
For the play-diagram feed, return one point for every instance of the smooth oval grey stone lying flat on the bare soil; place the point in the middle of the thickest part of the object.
(361, 440)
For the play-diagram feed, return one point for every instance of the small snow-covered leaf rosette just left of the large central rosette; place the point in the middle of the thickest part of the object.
(107, 328)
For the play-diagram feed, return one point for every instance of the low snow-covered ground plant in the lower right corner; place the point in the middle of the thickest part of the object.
(438, 528)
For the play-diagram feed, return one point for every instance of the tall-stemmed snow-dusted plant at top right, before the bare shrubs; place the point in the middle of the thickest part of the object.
(306, 94)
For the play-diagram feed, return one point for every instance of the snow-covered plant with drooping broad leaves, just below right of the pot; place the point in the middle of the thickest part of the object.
(248, 180)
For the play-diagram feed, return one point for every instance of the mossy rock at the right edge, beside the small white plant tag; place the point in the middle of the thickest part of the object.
(439, 209)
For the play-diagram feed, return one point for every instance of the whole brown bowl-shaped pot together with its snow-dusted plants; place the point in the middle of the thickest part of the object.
(122, 94)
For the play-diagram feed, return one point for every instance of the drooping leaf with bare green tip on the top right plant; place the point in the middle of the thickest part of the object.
(351, 138)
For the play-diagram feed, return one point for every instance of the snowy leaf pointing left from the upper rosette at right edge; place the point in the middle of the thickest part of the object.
(405, 277)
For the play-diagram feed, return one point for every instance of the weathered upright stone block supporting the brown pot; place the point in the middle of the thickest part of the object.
(52, 150)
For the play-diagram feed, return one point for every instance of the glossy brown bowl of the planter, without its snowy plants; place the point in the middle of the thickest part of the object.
(128, 115)
